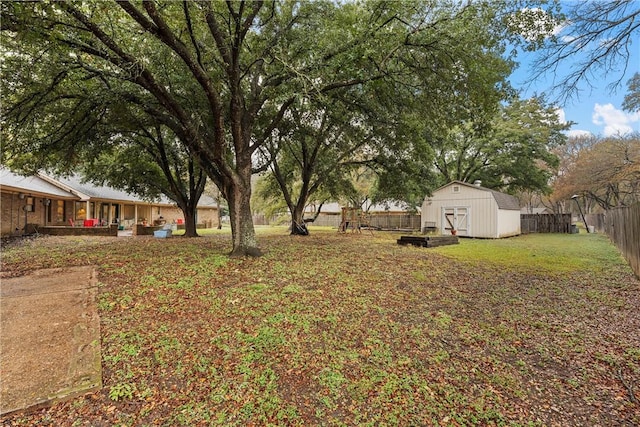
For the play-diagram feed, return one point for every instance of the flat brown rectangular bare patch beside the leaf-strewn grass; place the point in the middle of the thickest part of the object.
(49, 337)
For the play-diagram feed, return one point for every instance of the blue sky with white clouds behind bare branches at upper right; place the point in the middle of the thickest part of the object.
(597, 109)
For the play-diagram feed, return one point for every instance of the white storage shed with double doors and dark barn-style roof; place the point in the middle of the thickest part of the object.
(471, 210)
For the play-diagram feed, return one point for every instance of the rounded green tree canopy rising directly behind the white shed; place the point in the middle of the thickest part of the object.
(511, 152)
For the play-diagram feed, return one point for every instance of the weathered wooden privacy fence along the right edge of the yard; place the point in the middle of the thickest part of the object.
(622, 225)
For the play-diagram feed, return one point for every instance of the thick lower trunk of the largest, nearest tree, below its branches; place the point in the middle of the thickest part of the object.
(242, 231)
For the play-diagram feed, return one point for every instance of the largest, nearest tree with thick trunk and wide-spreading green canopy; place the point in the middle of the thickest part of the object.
(220, 75)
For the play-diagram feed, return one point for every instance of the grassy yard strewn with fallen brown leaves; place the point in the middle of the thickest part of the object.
(331, 329)
